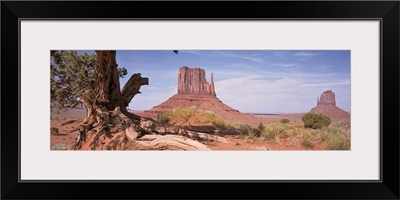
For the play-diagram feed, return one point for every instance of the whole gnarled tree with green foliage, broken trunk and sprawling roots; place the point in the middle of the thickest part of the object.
(94, 81)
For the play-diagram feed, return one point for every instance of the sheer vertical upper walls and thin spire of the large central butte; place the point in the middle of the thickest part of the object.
(193, 81)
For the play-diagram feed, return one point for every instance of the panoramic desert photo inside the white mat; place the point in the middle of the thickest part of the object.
(260, 100)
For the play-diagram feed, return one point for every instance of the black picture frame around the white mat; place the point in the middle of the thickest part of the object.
(386, 11)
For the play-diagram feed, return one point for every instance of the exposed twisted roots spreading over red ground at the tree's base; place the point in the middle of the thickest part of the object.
(124, 133)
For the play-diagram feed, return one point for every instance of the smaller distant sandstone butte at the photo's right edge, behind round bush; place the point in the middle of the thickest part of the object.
(326, 105)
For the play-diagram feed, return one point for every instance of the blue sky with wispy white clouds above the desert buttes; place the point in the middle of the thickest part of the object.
(254, 81)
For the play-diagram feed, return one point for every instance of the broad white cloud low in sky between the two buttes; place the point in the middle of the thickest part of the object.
(256, 93)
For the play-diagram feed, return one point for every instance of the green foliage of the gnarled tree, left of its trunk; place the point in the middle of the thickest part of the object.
(71, 75)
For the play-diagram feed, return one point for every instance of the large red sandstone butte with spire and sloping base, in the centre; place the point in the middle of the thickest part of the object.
(195, 91)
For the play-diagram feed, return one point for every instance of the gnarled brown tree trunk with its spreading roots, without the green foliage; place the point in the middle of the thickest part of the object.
(108, 125)
